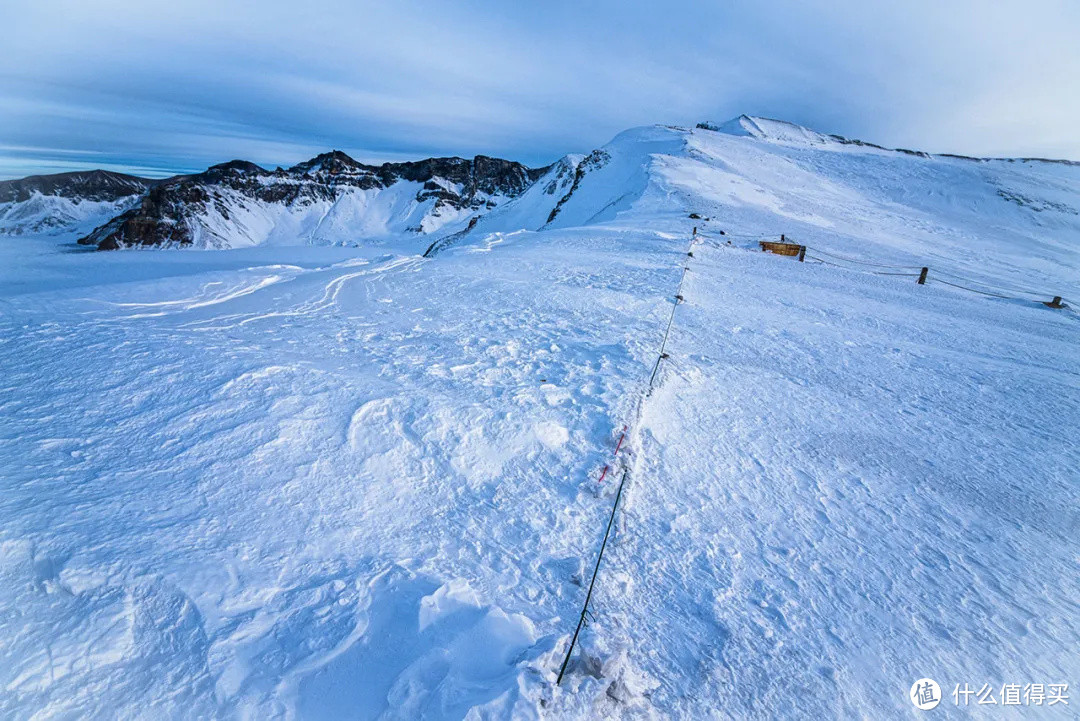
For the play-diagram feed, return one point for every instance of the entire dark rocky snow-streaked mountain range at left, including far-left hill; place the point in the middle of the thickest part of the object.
(329, 199)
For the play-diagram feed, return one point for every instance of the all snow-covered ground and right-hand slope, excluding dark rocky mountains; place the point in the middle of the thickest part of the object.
(354, 483)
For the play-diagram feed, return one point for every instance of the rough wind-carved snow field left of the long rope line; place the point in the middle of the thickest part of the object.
(274, 472)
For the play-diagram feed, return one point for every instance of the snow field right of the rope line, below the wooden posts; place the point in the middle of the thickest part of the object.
(835, 497)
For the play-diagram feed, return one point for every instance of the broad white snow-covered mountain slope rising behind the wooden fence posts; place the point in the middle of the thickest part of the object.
(1011, 223)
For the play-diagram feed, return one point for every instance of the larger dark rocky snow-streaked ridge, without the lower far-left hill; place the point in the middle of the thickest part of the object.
(329, 200)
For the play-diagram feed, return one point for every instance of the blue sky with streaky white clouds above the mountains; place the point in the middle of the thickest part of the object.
(165, 88)
